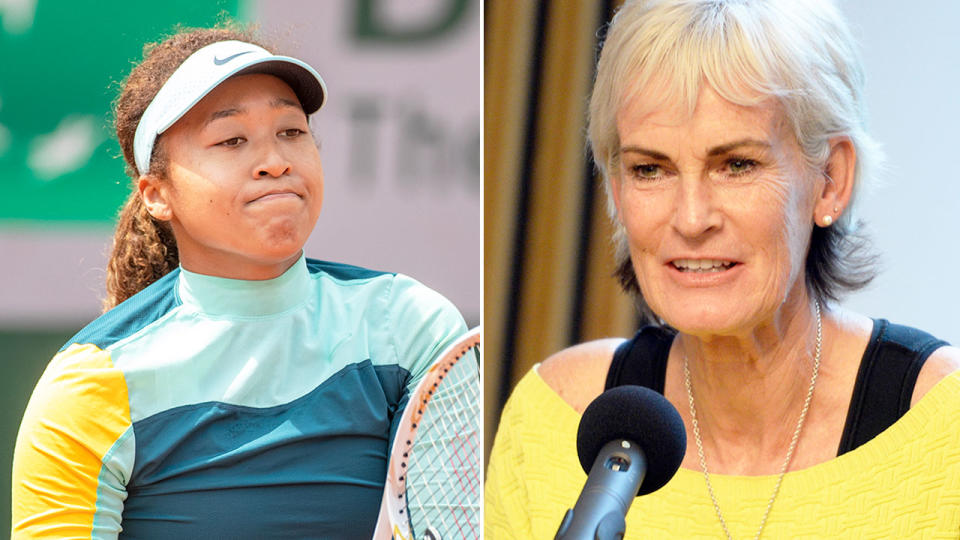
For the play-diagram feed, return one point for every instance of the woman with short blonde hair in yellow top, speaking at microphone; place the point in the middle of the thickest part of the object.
(730, 135)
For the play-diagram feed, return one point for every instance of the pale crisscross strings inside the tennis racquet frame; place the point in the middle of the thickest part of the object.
(443, 479)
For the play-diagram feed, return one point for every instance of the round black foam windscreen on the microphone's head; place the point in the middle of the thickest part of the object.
(640, 415)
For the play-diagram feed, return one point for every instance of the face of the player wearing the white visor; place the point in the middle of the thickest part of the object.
(244, 184)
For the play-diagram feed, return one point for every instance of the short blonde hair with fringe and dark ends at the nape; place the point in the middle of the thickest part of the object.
(800, 53)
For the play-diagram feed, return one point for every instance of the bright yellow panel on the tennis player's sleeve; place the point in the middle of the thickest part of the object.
(77, 413)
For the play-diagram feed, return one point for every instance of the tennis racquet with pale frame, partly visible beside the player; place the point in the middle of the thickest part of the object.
(433, 486)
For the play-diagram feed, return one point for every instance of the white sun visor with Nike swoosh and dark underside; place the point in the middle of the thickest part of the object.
(203, 71)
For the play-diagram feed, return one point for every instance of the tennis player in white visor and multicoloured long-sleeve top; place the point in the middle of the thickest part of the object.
(235, 388)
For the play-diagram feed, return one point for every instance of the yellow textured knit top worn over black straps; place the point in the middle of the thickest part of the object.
(905, 483)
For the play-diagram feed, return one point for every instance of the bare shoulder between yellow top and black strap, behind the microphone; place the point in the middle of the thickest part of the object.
(578, 373)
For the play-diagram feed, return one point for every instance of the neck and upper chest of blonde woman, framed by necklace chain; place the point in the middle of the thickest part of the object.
(749, 389)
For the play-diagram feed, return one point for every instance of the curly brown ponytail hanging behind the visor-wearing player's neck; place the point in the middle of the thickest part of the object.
(144, 250)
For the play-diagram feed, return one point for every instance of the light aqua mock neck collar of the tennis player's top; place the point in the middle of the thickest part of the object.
(237, 297)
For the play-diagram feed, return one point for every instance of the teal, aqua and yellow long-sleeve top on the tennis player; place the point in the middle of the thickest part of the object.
(206, 407)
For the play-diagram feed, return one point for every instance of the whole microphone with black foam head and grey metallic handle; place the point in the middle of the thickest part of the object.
(630, 442)
